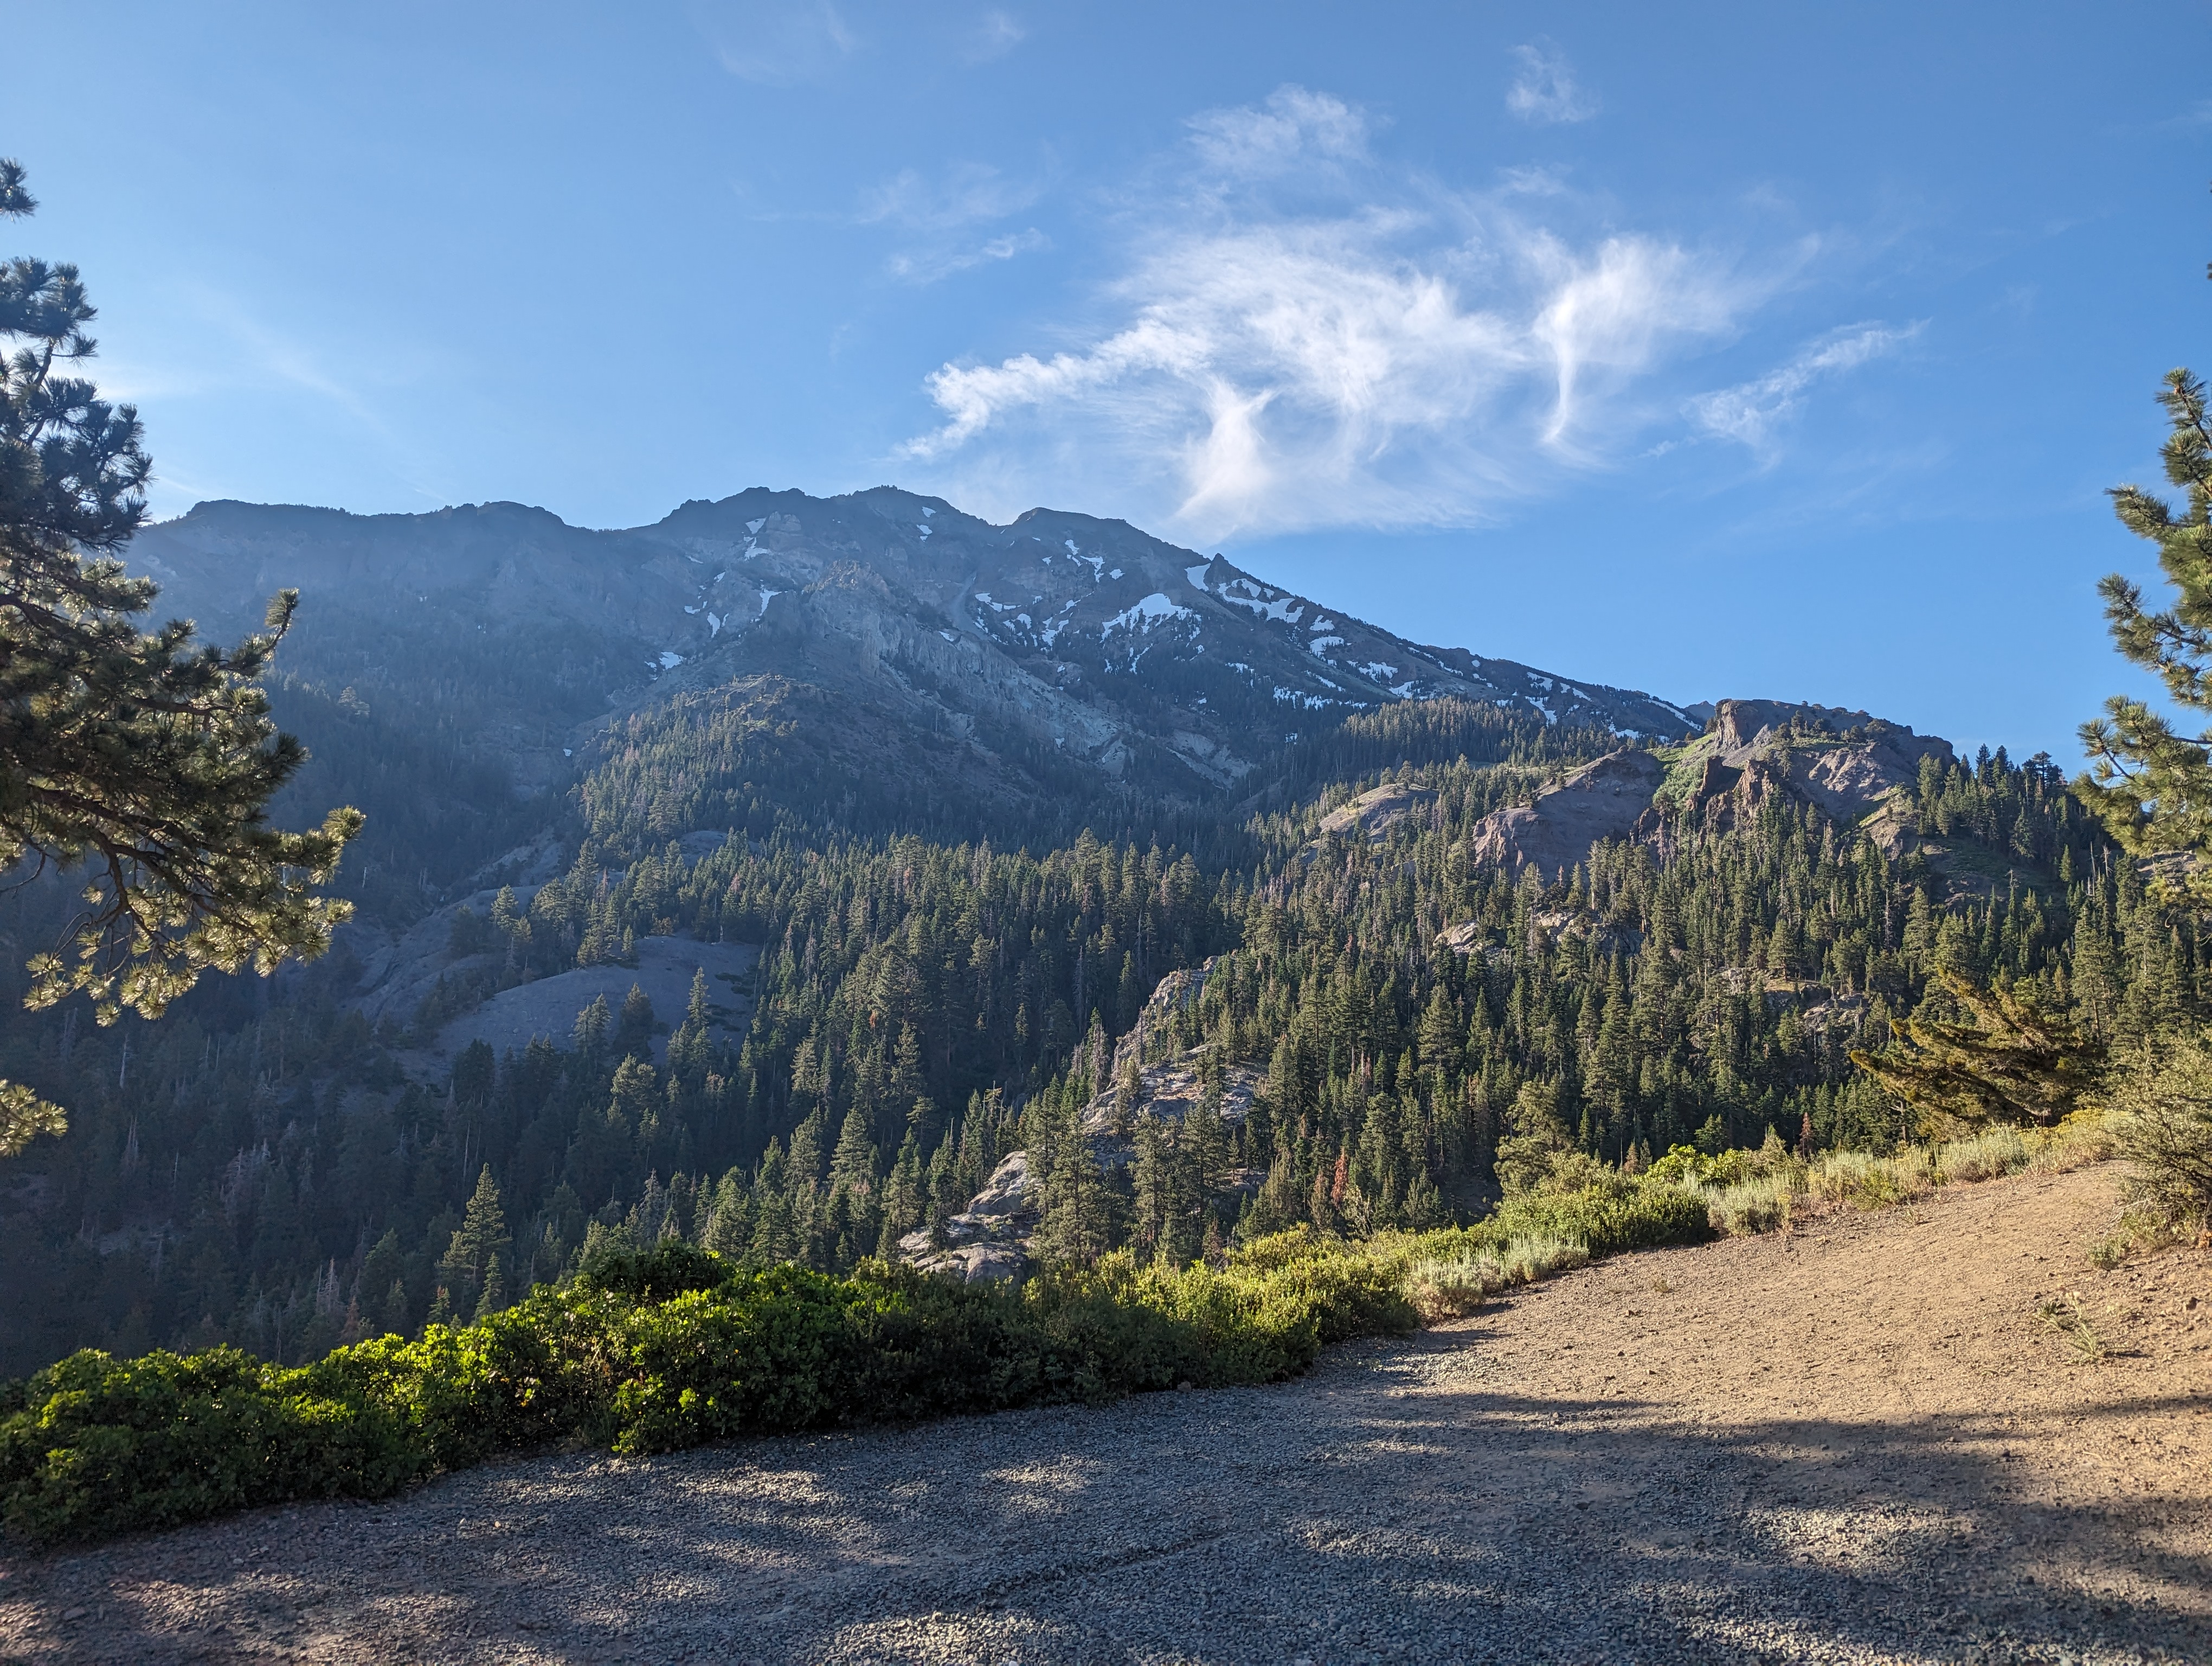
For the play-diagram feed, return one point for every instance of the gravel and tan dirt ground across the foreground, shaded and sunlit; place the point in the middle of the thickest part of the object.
(1861, 1441)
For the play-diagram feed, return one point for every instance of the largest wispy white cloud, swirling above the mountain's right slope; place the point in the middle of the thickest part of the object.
(1304, 337)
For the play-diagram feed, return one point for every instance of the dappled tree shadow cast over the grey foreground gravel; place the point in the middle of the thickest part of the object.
(1359, 1514)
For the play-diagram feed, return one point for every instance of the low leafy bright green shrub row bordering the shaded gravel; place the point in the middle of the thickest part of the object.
(651, 1353)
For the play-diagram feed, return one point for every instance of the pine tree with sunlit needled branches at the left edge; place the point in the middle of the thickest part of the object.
(147, 760)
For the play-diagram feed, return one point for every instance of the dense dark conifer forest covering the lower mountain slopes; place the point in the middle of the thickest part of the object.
(269, 1167)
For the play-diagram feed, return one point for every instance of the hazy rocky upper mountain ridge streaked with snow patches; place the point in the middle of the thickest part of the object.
(983, 663)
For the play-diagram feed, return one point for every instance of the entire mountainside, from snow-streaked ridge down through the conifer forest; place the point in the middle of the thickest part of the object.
(952, 866)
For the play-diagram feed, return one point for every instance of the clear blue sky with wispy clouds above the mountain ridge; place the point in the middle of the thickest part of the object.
(1715, 348)
